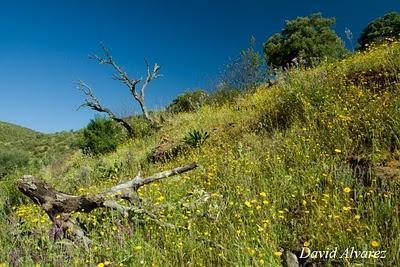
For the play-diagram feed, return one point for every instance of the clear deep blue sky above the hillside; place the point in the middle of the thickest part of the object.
(44, 47)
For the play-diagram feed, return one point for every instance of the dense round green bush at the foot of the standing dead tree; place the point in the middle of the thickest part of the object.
(100, 136)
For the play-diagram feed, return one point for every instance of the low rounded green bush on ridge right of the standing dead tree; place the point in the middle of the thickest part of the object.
(189, 101)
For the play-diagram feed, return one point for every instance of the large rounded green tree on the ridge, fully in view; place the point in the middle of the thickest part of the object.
(304, 40)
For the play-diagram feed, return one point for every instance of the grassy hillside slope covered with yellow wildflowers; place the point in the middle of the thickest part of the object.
(312, 161)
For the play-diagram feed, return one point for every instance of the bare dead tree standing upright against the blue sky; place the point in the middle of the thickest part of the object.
(120, 75)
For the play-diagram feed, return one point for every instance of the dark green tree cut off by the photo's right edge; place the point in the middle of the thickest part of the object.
(380, 29)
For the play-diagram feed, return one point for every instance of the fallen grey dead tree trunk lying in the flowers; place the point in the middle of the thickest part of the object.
(59, 206)
